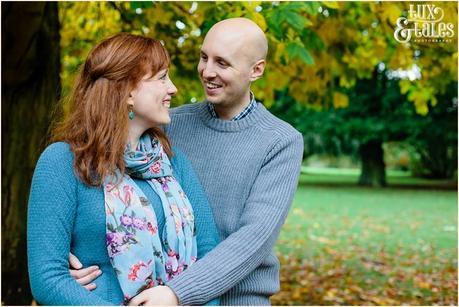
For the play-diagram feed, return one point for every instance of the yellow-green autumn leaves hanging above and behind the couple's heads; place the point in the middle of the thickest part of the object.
(314, 47)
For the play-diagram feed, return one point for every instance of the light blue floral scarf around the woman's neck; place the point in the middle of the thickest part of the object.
(138, 255)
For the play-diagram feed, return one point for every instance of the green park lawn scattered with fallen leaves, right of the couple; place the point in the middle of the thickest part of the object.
(344, 244)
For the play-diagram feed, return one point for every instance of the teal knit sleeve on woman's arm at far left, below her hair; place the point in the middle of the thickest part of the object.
(51, 215)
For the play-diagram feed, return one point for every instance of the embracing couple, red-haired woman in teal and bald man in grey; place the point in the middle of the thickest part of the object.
(137, 204)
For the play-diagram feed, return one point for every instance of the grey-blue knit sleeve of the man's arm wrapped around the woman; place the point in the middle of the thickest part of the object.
(244, 250)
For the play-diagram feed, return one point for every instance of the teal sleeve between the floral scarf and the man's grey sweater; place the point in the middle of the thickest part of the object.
(206, 230)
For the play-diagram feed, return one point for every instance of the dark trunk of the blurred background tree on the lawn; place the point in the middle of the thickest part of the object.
(373, 168)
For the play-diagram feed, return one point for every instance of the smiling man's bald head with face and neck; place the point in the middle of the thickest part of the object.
(233, 55)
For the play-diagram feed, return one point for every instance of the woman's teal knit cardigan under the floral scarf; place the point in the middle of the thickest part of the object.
(65, 215)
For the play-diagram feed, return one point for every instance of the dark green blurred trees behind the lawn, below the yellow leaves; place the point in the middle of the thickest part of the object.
(379, 113)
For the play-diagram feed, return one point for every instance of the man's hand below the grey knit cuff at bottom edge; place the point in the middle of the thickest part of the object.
(160, 295)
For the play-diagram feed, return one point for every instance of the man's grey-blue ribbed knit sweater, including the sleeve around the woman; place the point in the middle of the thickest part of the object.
(249, 169)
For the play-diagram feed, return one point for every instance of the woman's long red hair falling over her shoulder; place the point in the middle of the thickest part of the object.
(97, 125)
